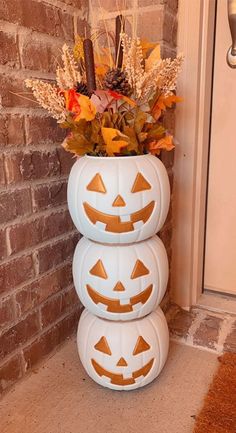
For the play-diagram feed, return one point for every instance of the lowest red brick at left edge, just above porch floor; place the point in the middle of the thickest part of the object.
(10, 372)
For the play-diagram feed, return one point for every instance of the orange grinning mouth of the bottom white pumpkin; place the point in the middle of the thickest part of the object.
(118, 379)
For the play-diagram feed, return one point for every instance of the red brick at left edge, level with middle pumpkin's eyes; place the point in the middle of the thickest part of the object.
(15, 272)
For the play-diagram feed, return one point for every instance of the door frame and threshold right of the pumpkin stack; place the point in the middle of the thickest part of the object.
(196, 24)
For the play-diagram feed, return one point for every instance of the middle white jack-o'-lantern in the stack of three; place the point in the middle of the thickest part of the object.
(120, 282)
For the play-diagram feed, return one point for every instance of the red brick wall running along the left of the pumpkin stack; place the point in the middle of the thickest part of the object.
(38, 306)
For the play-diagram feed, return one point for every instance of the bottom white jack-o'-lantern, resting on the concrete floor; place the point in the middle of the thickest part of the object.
(123, 355)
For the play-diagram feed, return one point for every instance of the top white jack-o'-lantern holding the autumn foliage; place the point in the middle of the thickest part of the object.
(118, 199)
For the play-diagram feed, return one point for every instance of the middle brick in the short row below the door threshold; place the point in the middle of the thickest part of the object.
(208, 332)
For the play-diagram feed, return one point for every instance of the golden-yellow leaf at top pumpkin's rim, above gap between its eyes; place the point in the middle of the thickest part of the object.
(113, 143)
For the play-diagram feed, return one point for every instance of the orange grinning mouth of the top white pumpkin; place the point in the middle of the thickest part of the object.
(114, 223)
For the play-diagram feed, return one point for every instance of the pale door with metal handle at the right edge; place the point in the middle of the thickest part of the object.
(220, 242)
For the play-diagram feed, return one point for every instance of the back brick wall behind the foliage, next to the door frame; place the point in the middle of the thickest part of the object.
(155, 20)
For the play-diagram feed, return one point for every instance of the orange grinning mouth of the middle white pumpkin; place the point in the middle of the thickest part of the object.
(114, 305)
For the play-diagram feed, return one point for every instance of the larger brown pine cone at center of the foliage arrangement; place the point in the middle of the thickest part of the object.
(116, 79)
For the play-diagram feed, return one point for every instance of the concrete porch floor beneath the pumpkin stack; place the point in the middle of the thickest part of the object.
(59, 397)
